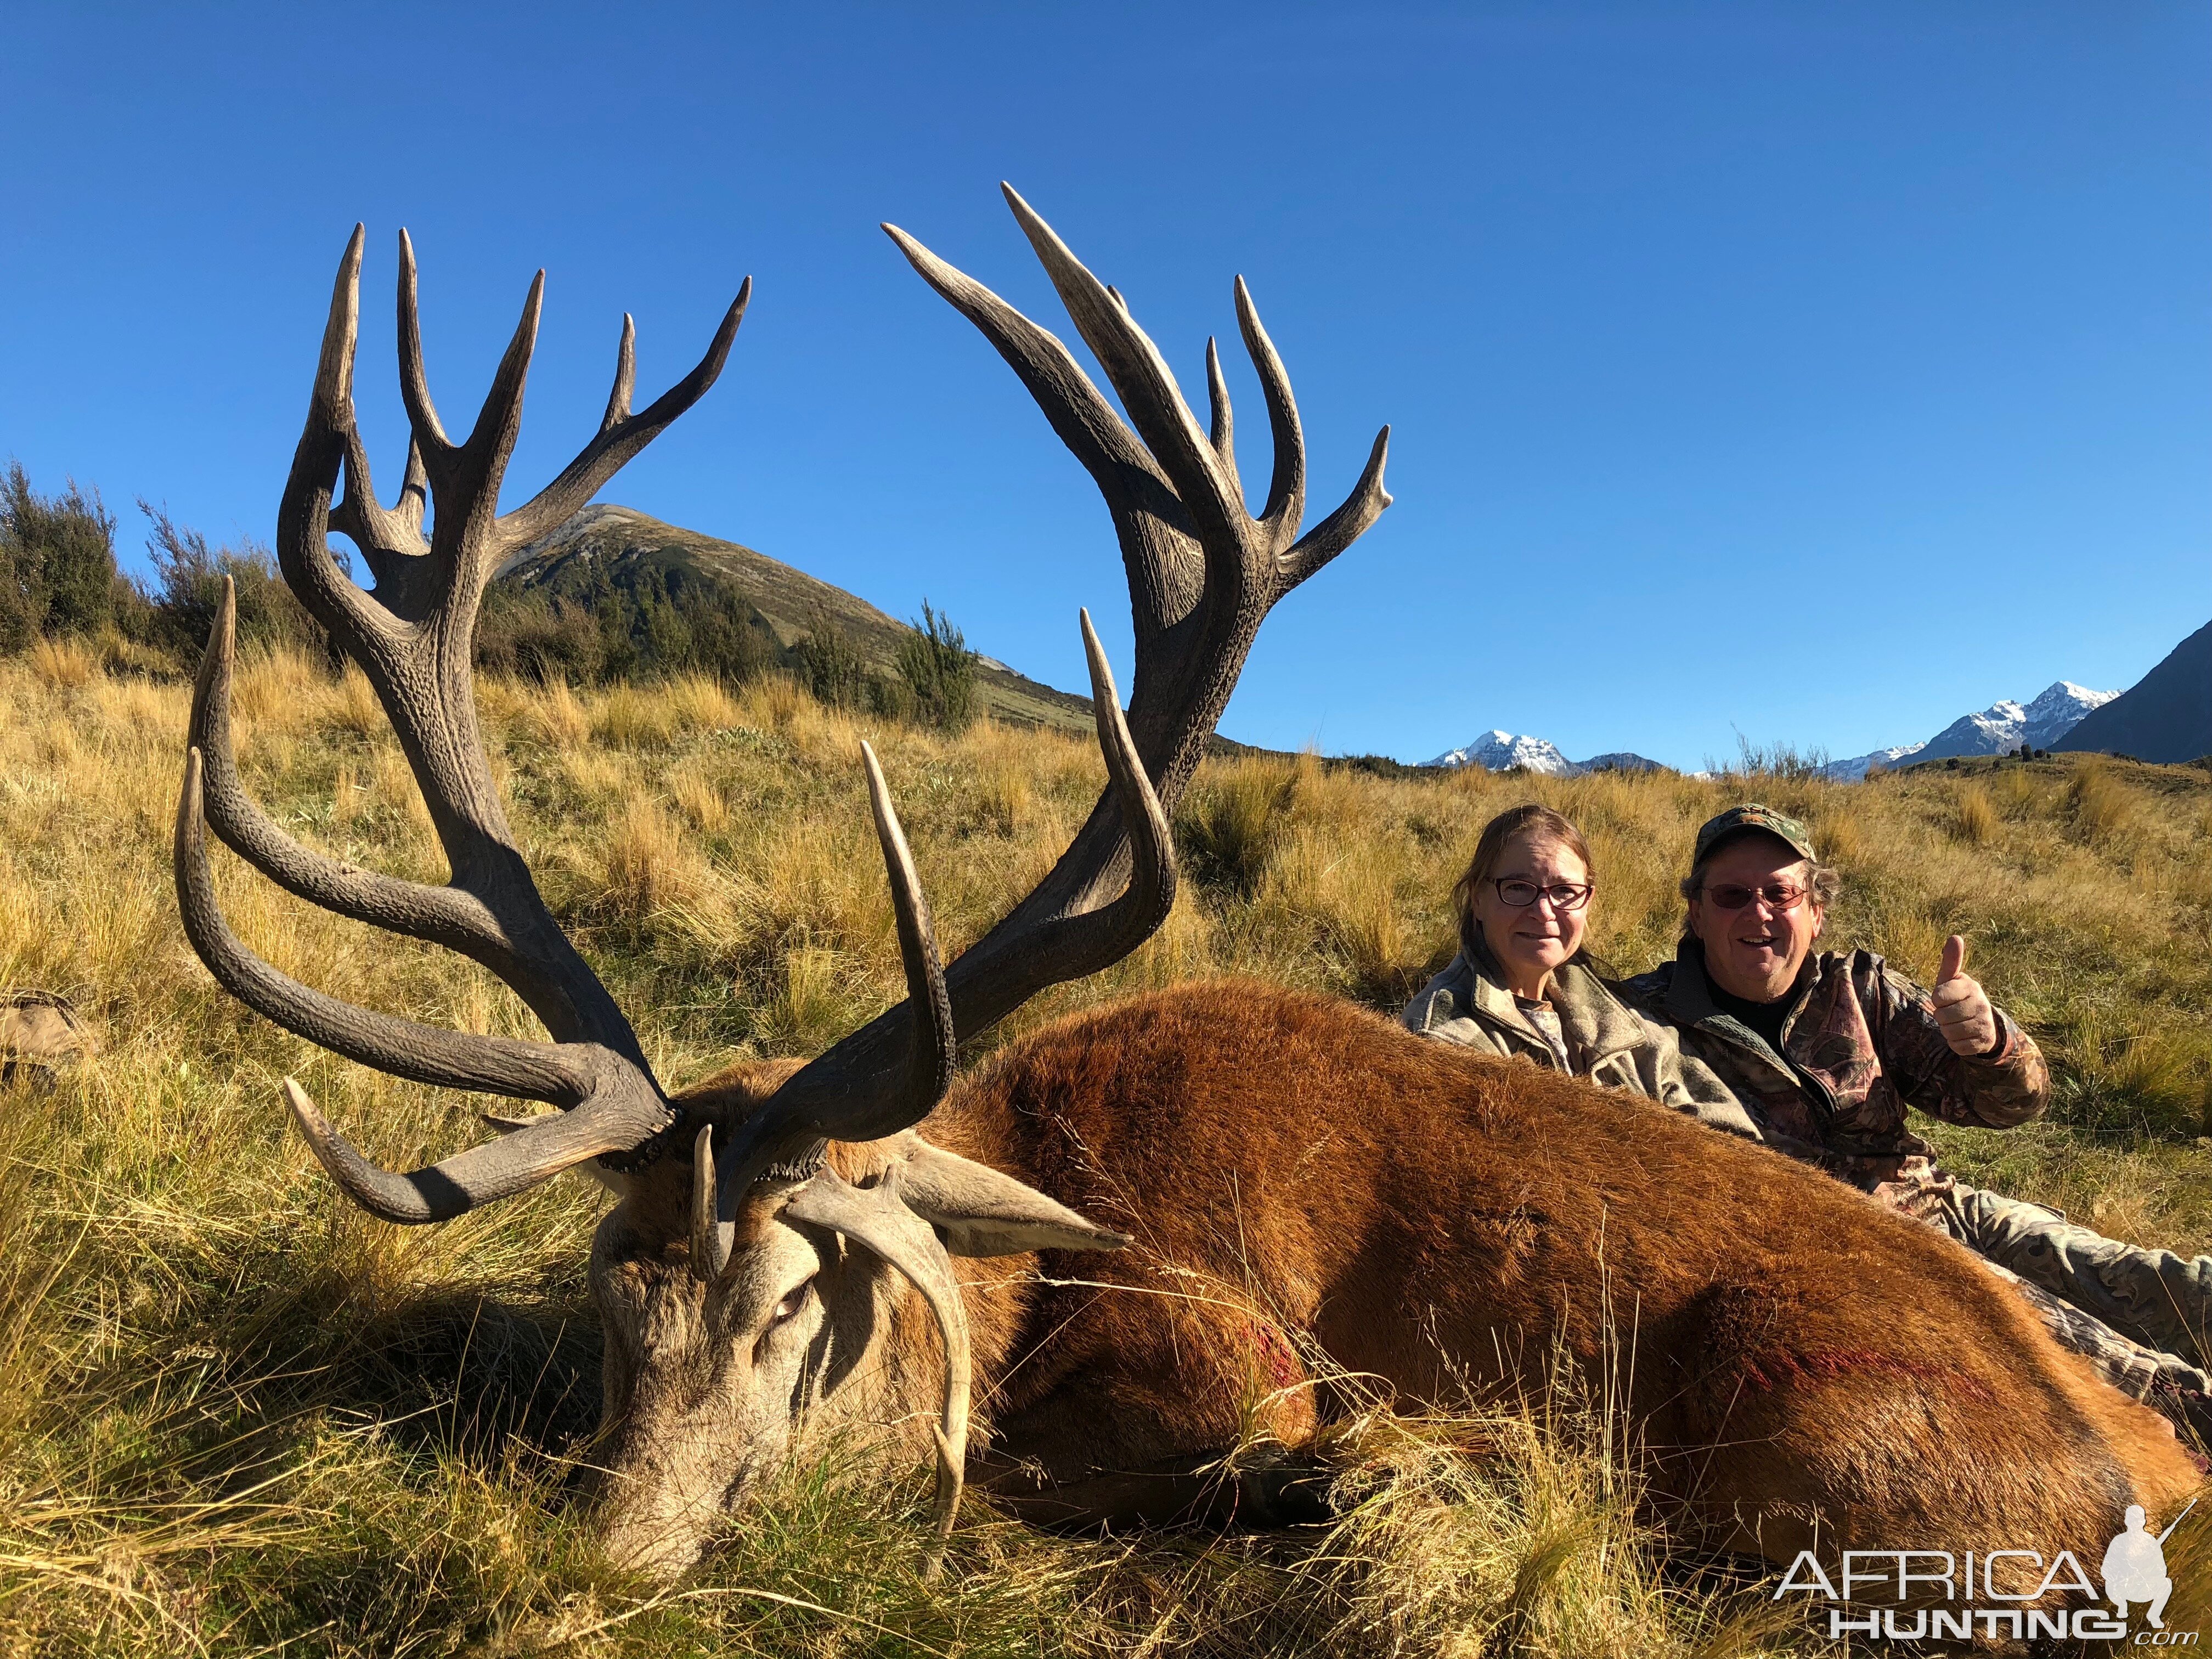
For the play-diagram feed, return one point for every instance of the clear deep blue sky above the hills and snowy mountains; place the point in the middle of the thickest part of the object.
(1813, 373)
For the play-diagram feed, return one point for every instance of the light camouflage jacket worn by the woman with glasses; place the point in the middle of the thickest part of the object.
(1609, 1043)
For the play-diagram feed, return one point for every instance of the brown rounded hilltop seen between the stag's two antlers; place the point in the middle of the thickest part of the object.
(784, 603)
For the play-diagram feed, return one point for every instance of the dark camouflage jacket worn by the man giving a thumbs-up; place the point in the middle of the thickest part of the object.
(1859, 1047)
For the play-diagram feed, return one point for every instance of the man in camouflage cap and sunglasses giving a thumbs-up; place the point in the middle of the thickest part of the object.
(1828, 1050)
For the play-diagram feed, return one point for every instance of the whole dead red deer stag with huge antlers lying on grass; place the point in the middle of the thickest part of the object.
(1288, 1178)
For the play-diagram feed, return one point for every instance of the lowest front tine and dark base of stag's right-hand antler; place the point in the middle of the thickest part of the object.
(870, 1085)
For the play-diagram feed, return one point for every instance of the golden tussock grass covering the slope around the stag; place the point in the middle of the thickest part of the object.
(242, 1415)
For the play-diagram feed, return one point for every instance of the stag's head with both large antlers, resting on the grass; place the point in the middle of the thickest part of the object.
(758, 1264)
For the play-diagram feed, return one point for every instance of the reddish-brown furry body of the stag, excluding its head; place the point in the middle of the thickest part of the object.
(1308, 1180)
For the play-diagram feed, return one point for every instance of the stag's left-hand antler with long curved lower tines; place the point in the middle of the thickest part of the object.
(413, 638)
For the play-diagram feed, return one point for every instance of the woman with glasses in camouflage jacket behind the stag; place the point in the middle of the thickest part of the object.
(1523, 981)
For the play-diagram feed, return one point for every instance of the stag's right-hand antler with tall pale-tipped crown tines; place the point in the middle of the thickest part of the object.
(1202, 572)
